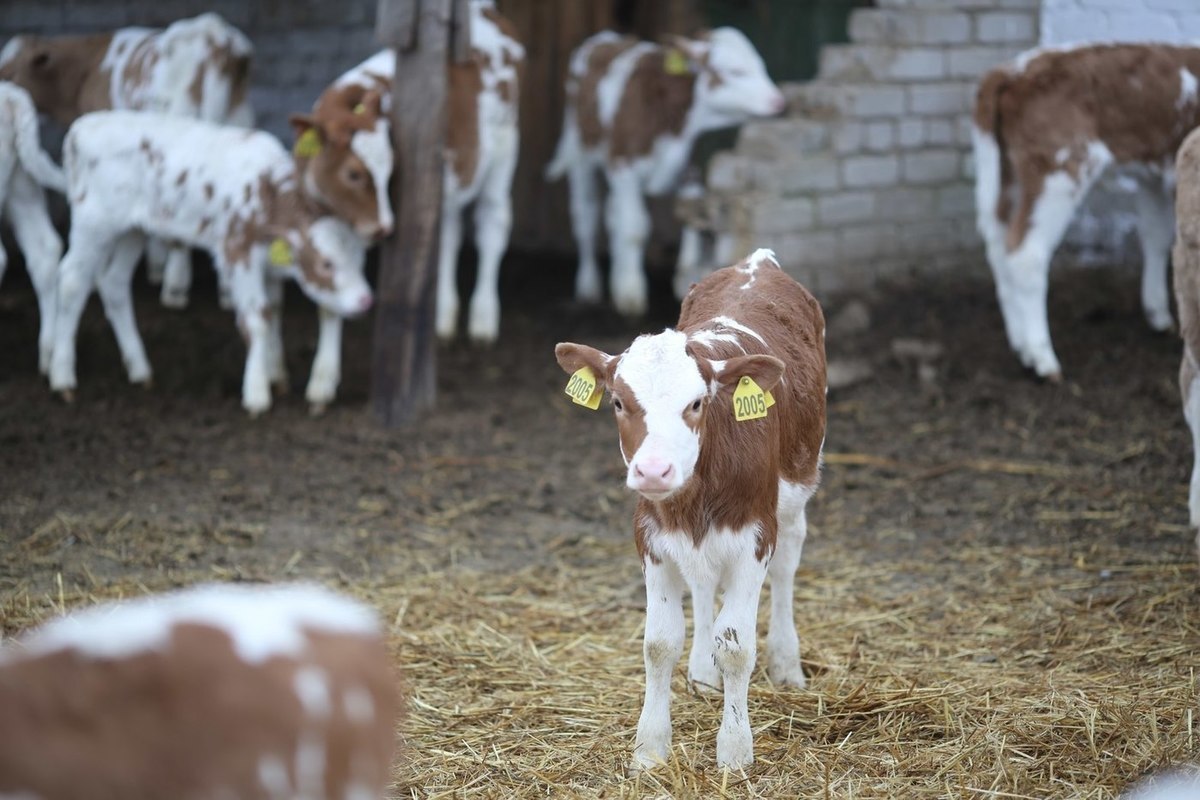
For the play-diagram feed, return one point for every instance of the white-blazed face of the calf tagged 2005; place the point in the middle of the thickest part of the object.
(665, 386)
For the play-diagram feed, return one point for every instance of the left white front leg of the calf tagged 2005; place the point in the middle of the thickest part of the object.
(662, 649)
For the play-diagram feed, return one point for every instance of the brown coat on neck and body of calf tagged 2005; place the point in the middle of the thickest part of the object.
(736, 482)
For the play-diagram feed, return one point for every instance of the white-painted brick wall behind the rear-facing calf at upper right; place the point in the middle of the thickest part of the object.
(1106, 231)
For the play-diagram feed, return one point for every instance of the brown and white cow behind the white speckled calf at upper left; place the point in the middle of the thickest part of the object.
(196, 68)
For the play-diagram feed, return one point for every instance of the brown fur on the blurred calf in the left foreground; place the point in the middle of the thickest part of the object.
(189, 720)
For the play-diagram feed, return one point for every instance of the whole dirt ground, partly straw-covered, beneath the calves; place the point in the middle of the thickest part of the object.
(999, 597)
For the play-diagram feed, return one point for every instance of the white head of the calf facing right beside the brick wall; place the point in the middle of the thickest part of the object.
(741, 87)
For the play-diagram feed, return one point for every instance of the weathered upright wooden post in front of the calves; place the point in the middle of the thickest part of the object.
(404, 370)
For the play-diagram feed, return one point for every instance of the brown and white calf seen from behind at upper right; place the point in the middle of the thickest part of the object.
(1046, 129)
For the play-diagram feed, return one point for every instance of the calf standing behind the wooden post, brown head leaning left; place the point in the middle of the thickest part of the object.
(483, 143)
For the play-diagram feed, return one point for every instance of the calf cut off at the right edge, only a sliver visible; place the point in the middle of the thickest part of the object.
(1187, 300)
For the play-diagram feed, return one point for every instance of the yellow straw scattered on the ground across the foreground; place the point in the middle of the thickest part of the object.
(1034, 672)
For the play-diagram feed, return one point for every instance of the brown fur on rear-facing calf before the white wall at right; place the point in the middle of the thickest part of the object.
(1123, 95)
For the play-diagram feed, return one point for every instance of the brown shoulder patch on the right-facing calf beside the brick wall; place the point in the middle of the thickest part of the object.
(653, 105)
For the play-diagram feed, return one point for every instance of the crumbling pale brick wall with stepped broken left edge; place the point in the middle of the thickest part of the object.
(871, 172)
